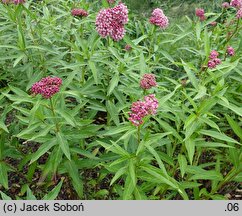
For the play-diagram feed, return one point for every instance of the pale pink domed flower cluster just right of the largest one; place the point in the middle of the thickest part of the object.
(158, 18)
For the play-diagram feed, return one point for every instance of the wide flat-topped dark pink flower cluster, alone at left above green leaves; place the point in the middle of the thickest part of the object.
(47, 86)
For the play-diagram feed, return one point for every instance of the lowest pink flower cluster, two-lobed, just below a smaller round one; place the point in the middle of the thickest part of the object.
(140, 109)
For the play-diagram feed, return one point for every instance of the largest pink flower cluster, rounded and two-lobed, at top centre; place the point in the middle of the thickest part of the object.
(111, 21)
